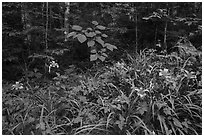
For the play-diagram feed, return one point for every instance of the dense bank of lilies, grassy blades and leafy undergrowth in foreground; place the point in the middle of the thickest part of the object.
(144, 94)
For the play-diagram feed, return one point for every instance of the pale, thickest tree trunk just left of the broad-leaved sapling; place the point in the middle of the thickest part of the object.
(66, 19)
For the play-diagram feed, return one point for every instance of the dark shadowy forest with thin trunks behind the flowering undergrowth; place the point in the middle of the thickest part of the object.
(41, 29)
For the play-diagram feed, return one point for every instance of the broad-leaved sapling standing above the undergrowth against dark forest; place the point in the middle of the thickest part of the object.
(94, 38)
